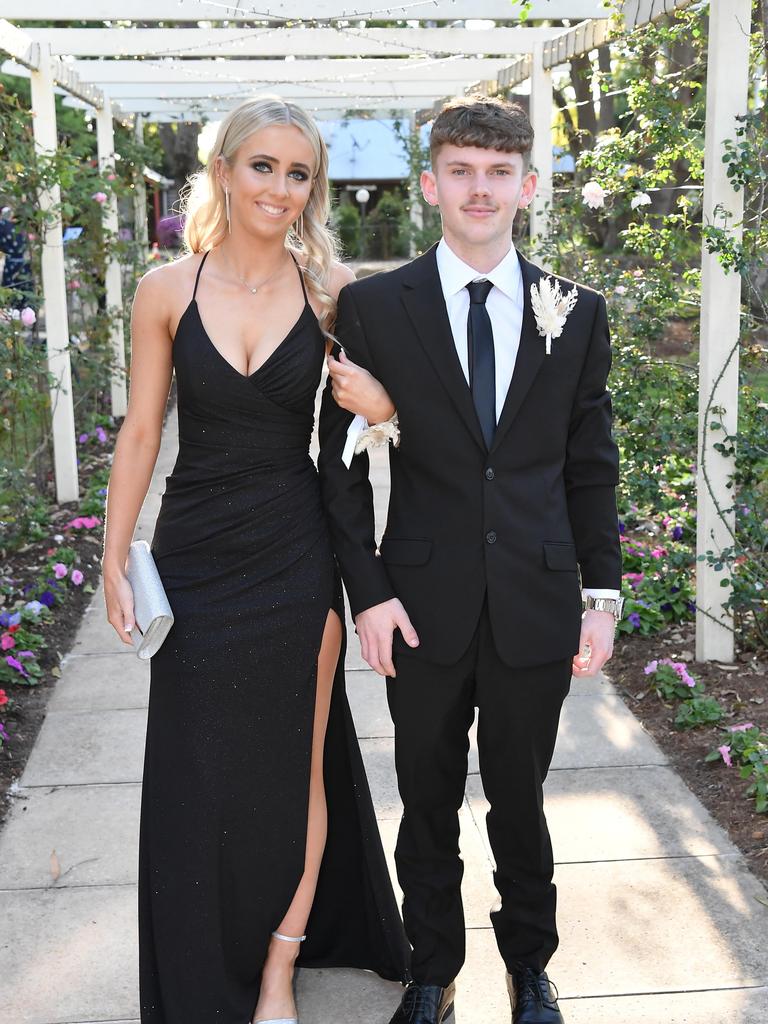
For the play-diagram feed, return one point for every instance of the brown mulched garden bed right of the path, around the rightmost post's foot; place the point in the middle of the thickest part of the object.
(742, 690)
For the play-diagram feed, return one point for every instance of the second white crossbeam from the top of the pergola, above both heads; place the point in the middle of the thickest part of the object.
(353, 42)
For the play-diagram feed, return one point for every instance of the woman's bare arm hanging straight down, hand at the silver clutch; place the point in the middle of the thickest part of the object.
(139, 441)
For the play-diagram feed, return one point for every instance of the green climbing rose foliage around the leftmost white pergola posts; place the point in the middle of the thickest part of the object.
(26, 456)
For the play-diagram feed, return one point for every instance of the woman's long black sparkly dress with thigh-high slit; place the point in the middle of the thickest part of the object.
(243, 550)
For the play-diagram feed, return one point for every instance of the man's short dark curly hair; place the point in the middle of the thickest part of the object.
(488, 123)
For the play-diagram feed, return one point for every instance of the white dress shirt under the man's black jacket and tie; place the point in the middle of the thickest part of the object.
(505, 308)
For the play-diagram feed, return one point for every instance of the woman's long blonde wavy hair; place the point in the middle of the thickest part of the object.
(203, 200)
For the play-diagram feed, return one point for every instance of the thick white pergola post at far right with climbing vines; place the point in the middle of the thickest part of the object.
(721, 302)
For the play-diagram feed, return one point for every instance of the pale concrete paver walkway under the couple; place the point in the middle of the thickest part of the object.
(661, 921)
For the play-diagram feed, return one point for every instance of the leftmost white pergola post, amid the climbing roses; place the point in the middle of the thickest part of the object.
(55, 292)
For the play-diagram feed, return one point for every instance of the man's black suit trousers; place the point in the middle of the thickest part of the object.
(433, 707)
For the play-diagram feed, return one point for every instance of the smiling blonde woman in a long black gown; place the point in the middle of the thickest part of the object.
(258, 829)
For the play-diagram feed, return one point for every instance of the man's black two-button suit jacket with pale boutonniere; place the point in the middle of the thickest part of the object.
(516, 523)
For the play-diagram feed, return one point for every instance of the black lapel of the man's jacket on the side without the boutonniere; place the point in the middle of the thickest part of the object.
(425, 305)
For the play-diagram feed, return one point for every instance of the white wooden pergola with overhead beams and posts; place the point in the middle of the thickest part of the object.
(322, 55)
